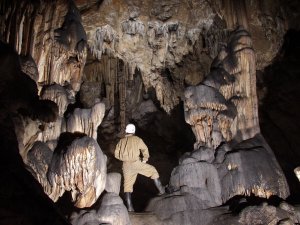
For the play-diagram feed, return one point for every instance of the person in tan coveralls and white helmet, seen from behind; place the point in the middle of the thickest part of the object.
(128, 151)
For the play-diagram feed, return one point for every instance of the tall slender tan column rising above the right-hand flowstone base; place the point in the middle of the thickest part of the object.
(241, 64)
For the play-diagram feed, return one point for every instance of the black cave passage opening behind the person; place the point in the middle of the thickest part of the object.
(167, 136)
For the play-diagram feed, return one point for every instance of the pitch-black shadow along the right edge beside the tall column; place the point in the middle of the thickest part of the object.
(280, 108)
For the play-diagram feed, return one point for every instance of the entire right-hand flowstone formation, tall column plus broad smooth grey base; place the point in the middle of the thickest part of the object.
(230, 157)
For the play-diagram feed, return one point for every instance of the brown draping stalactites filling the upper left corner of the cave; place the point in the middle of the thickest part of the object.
(54, 38)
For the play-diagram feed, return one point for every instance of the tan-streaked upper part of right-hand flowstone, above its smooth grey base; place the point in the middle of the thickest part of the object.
(225, 102)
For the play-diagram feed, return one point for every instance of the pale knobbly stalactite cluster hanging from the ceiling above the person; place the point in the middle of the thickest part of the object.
(161, 38)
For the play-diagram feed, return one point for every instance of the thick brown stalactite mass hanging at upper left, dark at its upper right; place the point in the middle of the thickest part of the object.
(62, 57)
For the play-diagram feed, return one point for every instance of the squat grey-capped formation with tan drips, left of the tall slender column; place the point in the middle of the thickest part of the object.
(206, 111)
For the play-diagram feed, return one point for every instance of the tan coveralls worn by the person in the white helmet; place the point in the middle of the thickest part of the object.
(128, 150)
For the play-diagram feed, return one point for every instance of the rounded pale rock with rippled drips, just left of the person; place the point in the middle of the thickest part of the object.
(81, 169)
